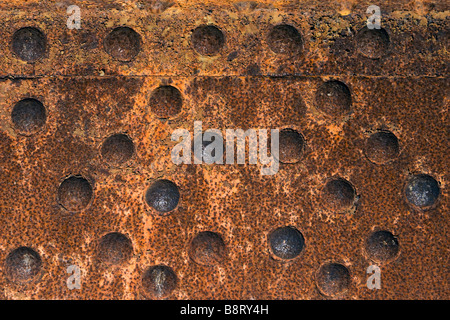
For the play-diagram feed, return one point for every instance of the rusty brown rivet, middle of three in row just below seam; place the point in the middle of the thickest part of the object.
(166, 102)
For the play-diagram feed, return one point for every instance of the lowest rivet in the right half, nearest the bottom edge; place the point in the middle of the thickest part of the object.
(332, 279)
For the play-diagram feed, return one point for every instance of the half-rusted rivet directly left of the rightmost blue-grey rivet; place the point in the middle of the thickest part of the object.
(338, 195)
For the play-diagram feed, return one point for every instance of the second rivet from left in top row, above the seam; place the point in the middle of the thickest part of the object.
(123, 44)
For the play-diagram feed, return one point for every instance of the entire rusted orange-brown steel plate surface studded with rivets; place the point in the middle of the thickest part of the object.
(87, 180)
